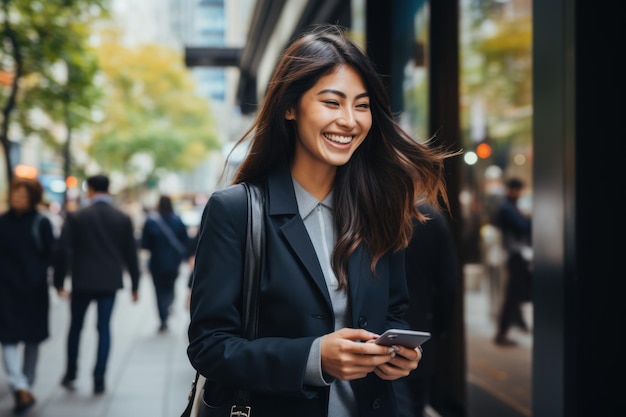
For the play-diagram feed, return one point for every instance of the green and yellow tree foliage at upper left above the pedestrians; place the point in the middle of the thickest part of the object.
(125, 101)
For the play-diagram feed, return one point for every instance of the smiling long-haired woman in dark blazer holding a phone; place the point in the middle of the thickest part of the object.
(341, 180)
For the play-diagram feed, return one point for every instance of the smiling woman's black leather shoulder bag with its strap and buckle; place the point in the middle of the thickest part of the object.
(236, 403)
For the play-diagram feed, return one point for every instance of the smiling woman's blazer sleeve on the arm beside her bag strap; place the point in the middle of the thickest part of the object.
(216, 348)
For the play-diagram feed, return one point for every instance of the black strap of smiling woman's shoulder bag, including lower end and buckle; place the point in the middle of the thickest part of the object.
(255, 239)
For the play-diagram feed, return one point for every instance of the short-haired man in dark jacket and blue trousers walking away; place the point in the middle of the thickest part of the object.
(96, 245)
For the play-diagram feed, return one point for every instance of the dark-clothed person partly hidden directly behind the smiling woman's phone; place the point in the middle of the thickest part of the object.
(433, 279)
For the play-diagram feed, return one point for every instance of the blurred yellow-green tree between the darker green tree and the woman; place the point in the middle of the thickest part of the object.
(151, 109)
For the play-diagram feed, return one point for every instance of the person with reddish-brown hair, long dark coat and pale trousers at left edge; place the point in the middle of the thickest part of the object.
(26, 244)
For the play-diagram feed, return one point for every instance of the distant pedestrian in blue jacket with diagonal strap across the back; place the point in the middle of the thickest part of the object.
(164, 235)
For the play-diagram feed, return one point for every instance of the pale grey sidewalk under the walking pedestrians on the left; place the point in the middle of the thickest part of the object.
(148, 373)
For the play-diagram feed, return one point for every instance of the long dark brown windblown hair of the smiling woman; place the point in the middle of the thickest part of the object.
(376, 192)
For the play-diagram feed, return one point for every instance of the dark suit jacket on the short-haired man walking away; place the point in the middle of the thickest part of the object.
(97, 243)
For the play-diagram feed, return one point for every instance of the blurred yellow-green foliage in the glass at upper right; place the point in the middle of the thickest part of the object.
(497, 68)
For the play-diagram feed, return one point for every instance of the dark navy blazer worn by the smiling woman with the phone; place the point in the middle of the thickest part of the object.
(295, 306)
